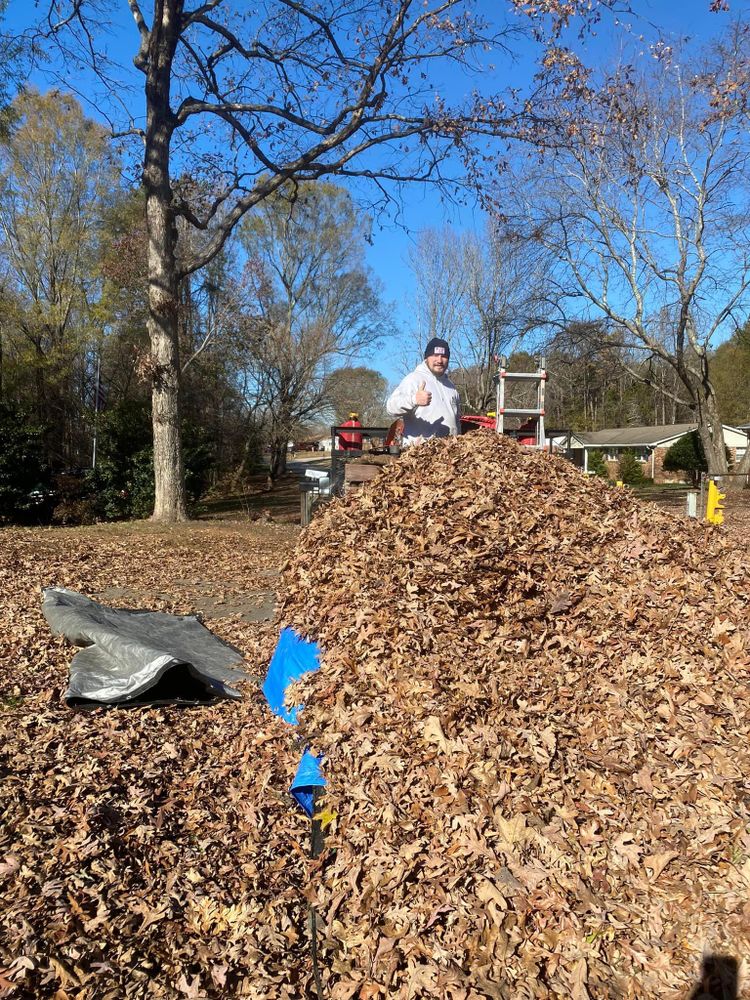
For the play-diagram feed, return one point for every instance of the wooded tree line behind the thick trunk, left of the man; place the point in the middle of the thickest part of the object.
(266, 330)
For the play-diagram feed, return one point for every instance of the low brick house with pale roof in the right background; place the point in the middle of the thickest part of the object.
(650, 445)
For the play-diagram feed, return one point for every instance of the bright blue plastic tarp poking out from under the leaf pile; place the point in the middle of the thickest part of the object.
(292, 658)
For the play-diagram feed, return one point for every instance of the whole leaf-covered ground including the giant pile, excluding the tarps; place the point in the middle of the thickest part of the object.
(534, 707)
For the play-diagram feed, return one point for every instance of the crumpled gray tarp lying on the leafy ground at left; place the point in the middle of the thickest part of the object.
(135, 656)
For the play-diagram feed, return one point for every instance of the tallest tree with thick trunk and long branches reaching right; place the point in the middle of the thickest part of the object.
(290, 90)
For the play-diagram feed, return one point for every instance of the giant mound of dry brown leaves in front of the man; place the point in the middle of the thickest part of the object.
(534, 707)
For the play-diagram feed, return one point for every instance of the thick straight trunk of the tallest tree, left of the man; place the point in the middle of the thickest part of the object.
(169, 480)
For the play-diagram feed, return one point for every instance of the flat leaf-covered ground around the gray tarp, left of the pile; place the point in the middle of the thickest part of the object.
(145, 852)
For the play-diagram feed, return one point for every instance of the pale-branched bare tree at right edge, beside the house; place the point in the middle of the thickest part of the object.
(647, 210)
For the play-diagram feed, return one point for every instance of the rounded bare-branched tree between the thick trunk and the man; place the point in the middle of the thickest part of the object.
(315, 305)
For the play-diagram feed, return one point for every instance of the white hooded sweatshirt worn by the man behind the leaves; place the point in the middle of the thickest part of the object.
(439, 419)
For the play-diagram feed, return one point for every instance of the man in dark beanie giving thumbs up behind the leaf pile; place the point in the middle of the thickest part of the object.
(426, 399)
